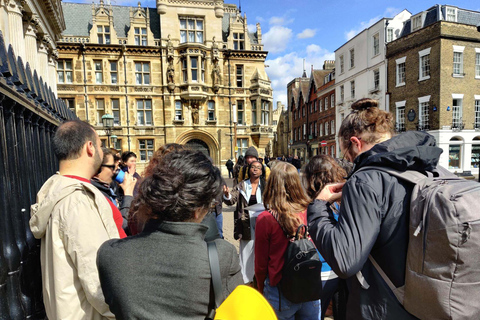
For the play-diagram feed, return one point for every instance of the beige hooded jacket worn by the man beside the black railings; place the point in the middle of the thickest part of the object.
(72, 218)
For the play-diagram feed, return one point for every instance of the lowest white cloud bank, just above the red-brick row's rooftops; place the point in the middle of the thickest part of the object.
(285, 68)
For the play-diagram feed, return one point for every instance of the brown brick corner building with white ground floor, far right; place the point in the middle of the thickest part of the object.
(434, 82)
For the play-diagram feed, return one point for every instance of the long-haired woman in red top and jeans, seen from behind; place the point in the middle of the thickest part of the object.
(287, 204)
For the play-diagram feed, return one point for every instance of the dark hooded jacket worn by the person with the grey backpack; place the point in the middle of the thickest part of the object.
(374, 215)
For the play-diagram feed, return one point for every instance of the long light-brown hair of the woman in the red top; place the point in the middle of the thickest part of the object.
(285, 196)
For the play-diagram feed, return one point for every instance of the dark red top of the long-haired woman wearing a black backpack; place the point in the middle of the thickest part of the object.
(270, 246)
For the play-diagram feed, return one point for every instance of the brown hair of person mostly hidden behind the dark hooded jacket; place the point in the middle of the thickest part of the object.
(320, 171)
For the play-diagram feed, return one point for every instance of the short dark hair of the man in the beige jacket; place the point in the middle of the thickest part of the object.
(70, 138)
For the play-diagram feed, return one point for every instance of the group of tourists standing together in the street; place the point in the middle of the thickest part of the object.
(91, 269)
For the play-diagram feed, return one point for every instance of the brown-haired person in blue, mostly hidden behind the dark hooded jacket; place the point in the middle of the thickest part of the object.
(320, 171)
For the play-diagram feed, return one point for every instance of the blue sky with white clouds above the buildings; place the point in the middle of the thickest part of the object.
(294, 30)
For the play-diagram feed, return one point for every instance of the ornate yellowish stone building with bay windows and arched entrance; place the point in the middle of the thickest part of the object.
(188, 72)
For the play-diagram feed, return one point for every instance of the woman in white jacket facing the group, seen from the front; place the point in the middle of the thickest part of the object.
(245, 194)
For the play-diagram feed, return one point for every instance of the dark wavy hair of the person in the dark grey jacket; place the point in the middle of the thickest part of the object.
(182, 182)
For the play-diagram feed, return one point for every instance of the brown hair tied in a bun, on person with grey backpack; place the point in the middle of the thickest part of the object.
(367, 121)
